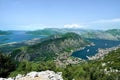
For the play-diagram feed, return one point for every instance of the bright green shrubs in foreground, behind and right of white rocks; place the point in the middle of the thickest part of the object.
(107, 68)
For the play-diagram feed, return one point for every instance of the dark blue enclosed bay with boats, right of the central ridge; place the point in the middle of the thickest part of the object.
(92, 50)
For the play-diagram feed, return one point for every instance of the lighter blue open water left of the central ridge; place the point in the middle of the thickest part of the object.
(17, 36)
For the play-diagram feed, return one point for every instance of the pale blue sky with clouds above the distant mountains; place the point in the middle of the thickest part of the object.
(39, 14)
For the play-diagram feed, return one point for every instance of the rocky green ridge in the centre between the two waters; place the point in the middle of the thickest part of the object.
(51, 48)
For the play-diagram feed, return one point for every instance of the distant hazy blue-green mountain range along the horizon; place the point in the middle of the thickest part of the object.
(112, 34)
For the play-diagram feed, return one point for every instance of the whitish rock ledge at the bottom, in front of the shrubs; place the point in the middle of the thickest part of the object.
(43, 75)
